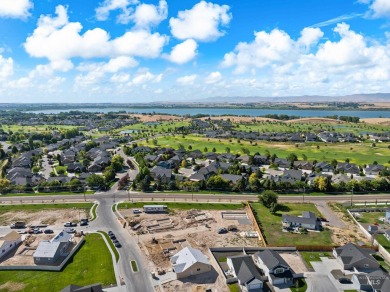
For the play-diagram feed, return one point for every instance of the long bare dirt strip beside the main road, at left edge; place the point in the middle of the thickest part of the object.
(50, 217)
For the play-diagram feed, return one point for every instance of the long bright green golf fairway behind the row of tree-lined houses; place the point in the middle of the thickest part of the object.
(360, 153)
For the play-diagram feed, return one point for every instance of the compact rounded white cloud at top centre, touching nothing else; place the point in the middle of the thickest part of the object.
(202, 22)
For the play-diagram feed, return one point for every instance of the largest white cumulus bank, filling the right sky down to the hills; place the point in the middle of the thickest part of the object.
(349, 64)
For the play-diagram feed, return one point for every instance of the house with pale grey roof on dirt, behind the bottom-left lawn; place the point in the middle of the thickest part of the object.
(49, 252)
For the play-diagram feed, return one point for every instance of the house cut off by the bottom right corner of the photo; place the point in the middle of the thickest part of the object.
(376, 281)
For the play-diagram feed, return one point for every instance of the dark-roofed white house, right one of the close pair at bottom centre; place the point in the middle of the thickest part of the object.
(274, 267)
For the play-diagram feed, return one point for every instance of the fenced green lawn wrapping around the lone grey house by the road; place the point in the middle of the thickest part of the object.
(272, 226)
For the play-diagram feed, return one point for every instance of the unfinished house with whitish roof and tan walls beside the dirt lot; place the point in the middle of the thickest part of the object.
(190, 261)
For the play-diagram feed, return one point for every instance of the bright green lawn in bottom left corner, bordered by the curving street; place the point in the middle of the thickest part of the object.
(91, 264)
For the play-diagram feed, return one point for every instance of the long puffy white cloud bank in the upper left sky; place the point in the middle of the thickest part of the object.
(52, 32)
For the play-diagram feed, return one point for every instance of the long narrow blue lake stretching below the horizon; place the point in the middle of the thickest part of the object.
(231, 111)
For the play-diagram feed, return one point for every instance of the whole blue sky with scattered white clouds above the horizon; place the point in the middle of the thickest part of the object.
(175, 50)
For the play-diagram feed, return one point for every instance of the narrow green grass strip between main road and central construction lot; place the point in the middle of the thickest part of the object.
(184, 206)
